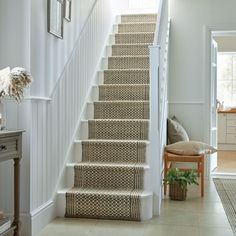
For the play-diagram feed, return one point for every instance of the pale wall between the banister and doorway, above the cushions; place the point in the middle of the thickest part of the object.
(188, 89)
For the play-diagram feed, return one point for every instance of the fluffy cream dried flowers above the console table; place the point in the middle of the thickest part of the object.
(13, 82)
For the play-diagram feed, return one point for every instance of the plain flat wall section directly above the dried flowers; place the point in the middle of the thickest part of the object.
(15, 29)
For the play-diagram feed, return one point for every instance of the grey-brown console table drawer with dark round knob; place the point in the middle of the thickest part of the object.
(8, 146)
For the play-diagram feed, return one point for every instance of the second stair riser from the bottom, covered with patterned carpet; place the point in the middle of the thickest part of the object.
(112, 178)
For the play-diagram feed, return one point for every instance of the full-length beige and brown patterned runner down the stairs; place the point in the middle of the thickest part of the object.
(109, 181)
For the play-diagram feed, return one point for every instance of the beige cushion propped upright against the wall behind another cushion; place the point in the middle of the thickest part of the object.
(176, 131)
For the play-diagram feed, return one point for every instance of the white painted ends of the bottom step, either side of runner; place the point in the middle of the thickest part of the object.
(146, 204)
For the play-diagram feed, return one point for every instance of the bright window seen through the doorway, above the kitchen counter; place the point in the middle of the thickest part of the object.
(226, 78)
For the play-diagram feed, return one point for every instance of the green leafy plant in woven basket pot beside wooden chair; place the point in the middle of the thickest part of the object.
(178, 181)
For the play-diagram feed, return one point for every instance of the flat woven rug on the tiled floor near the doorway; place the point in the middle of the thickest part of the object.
(226, 189)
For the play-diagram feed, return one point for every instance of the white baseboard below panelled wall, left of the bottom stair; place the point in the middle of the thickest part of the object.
(41, 217)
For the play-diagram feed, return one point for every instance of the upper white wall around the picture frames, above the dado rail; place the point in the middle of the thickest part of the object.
(25, 41)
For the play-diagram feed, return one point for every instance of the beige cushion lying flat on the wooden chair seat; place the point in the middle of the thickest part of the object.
(190, 148)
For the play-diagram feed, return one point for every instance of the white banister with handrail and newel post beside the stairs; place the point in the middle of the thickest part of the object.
(158, 95)
